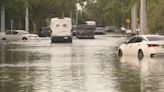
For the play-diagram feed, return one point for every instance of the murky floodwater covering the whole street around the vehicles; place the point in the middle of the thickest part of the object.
(86, 65)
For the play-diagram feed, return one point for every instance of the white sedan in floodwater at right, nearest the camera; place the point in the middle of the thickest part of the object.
(143, 45)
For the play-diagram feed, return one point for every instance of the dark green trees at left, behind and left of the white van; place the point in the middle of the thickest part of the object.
(39, 11)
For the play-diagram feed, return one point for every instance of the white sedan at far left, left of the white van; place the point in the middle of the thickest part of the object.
(14, 35)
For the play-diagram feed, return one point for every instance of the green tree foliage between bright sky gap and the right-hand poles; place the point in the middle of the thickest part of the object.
(109, 12)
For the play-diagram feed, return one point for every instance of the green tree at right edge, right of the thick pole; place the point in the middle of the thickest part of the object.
(155, 16)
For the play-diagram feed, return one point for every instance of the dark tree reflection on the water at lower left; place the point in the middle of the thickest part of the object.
(18, 68)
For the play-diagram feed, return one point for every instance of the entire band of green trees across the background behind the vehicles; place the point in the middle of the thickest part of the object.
(104, 12)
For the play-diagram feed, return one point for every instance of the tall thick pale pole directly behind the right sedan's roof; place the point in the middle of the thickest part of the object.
(143, 17)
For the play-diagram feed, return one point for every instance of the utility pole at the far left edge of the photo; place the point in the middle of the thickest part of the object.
(2, 19)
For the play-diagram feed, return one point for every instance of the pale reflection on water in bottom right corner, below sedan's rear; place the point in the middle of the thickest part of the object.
(152, 74)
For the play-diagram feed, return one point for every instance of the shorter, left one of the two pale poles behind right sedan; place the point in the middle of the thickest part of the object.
(134, 18)
